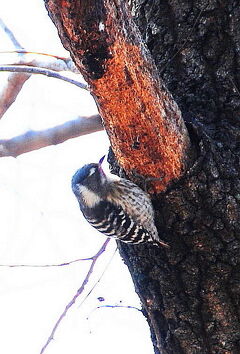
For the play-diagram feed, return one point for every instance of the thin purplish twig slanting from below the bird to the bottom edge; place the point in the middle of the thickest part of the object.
(78, 293)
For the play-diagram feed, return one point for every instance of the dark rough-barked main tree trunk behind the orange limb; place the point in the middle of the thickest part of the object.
(190, 293)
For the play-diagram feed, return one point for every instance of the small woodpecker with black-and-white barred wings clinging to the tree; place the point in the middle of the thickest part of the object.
(115, 206)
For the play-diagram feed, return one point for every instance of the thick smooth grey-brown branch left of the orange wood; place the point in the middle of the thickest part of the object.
(34, 140)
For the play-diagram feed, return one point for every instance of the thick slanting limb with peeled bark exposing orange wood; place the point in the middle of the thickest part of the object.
(143, 122)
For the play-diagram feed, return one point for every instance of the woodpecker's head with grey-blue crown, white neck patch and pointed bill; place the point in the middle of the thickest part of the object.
(88, 183)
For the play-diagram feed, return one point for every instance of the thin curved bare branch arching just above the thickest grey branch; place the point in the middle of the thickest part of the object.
(41, 71)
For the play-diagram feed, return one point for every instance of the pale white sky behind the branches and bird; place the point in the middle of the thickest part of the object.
(42, 224)
